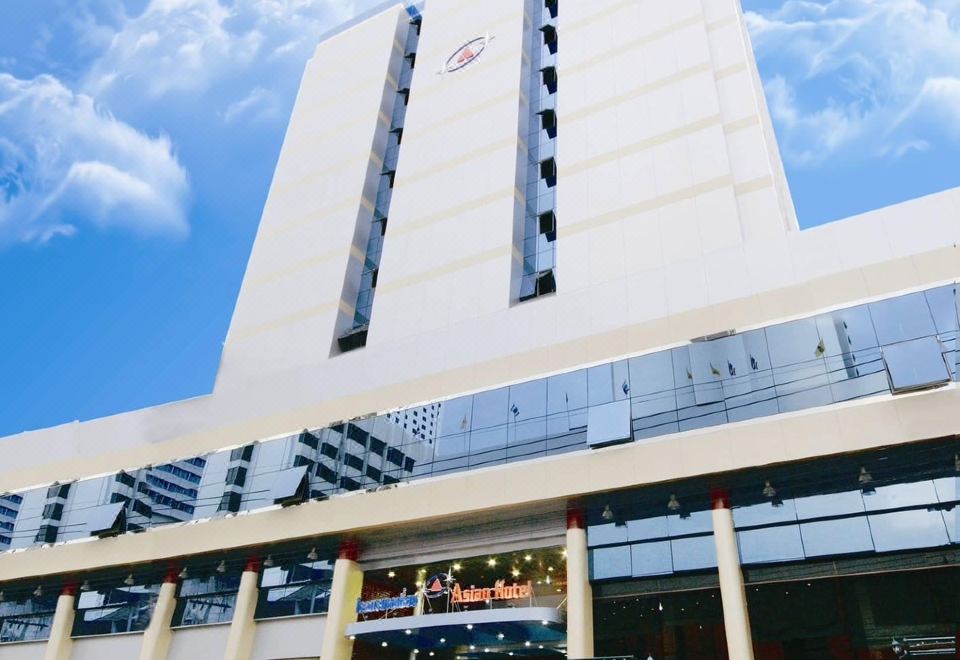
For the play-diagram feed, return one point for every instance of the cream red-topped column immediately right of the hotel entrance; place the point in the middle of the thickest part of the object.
(579, 591)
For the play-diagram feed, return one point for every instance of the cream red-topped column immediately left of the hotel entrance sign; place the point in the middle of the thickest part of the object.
(346, 588)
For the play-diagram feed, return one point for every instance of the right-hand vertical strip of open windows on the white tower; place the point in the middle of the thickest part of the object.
(540, 217)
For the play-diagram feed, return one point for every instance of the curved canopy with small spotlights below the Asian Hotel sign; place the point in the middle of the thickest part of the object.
(518, 627)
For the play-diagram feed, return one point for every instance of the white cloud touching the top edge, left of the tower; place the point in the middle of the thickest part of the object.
(186, 47)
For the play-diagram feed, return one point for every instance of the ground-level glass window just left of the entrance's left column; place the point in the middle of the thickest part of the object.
(295, 589)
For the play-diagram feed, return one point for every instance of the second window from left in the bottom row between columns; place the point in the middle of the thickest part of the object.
(114, 610)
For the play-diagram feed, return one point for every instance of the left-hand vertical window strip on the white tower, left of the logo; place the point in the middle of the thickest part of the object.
(356, 336)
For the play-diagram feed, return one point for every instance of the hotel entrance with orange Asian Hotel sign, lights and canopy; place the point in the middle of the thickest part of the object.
(491, 606)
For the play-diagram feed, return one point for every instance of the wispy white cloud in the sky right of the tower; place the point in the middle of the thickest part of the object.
(860, 78)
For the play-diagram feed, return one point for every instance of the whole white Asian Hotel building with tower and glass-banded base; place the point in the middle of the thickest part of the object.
(530, 359)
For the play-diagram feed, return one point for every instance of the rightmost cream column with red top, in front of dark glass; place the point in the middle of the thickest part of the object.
(736, 618)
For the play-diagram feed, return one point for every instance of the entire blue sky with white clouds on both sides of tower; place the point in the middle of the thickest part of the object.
(138, 137)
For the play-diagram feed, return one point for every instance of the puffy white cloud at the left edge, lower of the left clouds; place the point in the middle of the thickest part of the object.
(64, 161)
